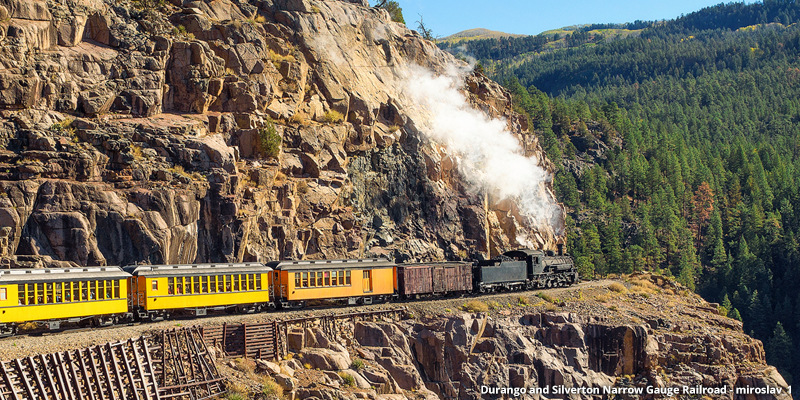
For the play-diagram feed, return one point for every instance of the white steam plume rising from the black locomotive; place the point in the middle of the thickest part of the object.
(489, 157)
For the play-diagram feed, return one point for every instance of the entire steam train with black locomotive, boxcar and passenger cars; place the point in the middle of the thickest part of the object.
(102, 296)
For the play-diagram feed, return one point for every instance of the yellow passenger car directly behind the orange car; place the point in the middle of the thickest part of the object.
(156, 291)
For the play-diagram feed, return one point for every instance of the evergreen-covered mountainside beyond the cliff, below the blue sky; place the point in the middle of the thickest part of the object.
(678, 151)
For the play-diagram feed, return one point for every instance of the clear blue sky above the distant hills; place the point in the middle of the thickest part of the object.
(445, 17)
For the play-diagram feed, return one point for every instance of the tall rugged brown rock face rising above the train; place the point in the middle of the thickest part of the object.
(133, 132)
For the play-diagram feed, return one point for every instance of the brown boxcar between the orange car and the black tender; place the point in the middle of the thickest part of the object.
(433, 278)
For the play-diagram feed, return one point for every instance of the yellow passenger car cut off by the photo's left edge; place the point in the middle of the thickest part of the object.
(55, 296)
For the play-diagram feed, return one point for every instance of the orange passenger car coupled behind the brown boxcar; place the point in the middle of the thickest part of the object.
(352, 281)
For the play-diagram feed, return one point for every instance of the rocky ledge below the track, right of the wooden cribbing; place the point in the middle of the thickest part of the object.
(644, 337)
